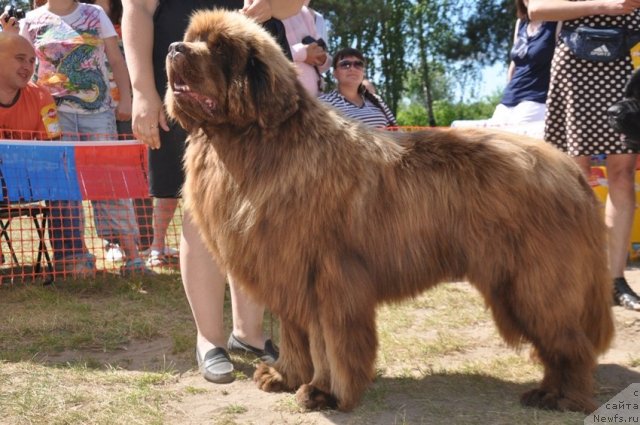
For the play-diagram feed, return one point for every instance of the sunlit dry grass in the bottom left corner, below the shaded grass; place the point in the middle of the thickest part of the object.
(34, 393)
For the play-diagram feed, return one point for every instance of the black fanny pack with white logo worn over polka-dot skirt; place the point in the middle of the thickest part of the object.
(599, 44)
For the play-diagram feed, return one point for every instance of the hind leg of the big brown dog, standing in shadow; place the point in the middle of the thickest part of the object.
(553, 326)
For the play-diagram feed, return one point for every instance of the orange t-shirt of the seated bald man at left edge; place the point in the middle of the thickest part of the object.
(33, 116)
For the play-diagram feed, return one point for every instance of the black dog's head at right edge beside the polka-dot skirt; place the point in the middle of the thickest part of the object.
(624, 116)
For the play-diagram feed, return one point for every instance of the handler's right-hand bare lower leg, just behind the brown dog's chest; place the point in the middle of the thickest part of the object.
(247, 317)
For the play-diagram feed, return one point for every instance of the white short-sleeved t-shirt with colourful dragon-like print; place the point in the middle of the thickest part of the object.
(71, 56)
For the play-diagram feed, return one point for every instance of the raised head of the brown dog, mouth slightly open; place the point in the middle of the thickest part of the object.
(229, 71)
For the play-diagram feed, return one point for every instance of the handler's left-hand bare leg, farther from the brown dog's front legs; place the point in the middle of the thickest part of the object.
(204, 286)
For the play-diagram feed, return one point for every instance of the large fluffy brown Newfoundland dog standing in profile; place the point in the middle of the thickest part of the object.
(322, 219)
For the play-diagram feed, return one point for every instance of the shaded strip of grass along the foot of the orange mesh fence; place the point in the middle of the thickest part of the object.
(101, 316)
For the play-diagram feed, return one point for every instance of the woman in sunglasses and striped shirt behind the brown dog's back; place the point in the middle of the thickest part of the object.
(351, 97)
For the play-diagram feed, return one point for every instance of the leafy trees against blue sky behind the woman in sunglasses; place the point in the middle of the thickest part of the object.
(405, 38)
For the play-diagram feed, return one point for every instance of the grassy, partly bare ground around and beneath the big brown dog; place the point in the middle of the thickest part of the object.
(74, 353)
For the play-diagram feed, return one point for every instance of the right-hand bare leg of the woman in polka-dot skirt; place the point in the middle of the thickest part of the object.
(620, 208)
